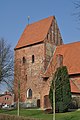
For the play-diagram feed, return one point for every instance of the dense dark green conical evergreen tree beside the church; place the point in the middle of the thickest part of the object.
(62, 90)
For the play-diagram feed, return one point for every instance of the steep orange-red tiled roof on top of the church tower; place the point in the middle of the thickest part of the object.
(35, 32)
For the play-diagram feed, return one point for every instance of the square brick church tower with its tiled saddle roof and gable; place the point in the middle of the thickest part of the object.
(33, 52)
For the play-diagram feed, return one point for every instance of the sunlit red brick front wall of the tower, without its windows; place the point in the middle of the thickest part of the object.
(32, 70)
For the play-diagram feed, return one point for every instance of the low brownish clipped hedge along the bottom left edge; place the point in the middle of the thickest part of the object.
(13, 117)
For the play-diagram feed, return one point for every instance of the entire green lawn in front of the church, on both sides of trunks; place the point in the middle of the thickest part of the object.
(40, 114)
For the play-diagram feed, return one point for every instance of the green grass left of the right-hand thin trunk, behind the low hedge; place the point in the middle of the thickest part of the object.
(33, 113)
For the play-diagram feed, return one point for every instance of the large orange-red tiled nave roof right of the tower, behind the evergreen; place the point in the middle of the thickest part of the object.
(71, 58)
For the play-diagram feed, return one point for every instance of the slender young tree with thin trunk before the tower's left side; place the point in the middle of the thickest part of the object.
(17, 83)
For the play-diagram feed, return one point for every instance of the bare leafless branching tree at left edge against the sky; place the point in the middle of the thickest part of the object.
(6, 63)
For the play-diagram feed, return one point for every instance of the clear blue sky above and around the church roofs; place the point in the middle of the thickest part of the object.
(14, 13)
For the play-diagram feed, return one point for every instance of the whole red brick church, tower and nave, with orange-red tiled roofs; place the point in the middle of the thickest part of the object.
(38, 53)
